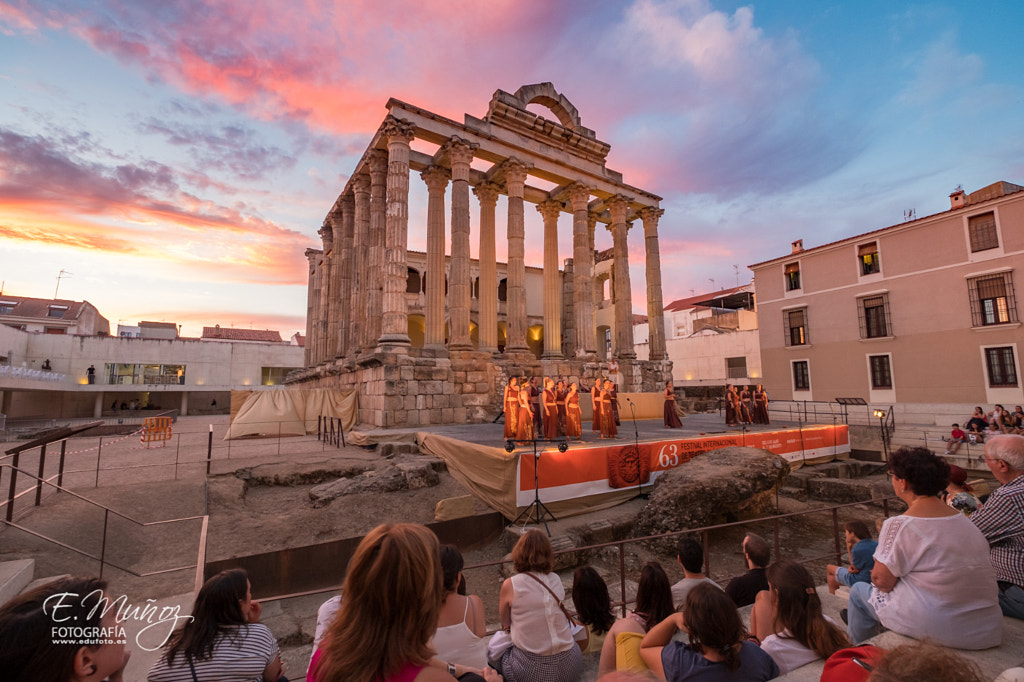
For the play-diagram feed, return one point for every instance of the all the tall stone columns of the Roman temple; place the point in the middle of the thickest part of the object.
(357, 302)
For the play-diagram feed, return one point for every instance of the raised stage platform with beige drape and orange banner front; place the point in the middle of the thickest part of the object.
(600, 473)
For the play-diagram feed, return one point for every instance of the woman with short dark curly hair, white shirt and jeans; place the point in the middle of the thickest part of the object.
(932, 578)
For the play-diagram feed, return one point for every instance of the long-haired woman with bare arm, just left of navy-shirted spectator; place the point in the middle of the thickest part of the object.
(622, 646)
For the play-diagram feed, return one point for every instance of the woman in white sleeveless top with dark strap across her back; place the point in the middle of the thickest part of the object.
(531, 610)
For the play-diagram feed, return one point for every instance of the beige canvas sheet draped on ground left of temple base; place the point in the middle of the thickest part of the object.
(290, 413)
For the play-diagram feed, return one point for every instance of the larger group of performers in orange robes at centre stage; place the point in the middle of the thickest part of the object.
(554, 412)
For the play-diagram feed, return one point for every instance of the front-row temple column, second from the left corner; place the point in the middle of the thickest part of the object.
(461, 155)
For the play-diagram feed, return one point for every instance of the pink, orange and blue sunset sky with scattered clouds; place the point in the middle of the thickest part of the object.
(178, 158)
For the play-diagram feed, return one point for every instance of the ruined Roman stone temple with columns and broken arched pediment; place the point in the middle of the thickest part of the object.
(361, 331)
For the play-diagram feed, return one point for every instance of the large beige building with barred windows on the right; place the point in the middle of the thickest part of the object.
(923, 315)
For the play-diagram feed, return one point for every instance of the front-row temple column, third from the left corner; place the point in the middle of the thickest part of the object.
(516, 307)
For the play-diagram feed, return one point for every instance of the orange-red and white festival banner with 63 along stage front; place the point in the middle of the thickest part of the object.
(587, 471)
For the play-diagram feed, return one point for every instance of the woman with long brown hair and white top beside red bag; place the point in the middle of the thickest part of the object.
(788, 619)
